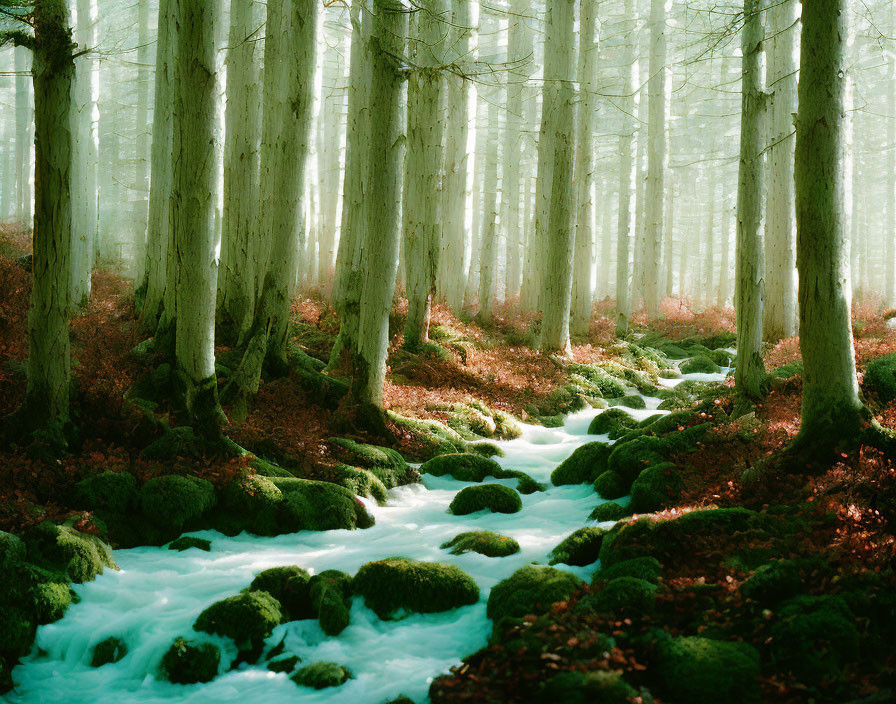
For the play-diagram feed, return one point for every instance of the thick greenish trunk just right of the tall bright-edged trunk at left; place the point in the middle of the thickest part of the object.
(239, 251)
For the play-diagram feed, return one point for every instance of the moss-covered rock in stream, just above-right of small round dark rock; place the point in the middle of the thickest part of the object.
(247, 618)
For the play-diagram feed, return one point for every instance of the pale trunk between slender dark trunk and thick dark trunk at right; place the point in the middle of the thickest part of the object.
(779, 319)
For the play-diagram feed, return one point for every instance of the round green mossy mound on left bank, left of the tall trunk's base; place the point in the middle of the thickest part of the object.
(176, 502)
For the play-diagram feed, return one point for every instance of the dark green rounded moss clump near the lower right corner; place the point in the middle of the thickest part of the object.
(815, 637)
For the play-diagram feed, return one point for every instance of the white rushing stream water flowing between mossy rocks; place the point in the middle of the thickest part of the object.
(157, 595)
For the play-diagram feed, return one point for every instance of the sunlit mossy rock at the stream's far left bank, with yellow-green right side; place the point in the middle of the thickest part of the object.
(62, 549)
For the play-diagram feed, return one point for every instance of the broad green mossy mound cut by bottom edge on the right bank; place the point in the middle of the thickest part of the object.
(693, 669)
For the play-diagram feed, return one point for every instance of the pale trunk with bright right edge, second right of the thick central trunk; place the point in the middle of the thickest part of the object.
(456, 188)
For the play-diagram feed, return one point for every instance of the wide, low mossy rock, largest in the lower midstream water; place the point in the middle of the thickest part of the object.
(397, 586)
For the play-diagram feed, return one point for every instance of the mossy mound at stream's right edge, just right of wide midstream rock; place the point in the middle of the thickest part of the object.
(530, 590)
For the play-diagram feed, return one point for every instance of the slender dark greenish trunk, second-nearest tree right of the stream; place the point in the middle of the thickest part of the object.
(750, 372)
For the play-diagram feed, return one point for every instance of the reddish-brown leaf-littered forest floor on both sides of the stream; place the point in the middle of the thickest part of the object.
(822, 612)
